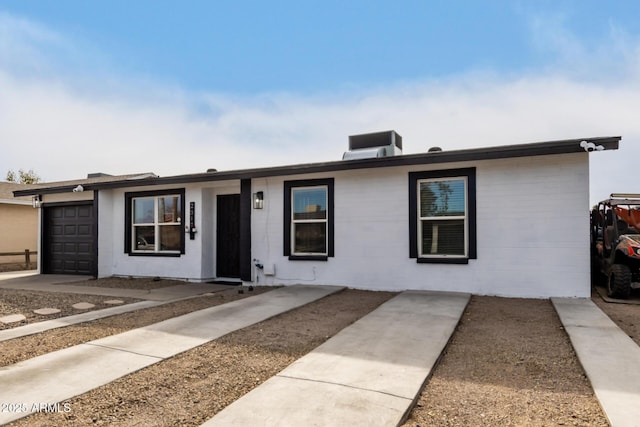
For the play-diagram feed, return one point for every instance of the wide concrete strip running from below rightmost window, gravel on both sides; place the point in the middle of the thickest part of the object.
(369, 374)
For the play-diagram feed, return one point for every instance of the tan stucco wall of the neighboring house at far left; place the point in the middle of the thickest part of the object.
(18, 231)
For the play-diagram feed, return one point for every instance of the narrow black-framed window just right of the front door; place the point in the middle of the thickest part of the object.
(308, 219)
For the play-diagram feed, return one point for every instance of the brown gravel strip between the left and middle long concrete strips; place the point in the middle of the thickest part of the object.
(193, 386)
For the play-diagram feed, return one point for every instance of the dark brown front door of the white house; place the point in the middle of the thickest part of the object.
(228, 236)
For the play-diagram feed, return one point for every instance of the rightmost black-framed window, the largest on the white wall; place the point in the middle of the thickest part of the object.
(442, 216)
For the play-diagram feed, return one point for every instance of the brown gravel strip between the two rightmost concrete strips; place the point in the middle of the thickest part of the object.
(510, 363)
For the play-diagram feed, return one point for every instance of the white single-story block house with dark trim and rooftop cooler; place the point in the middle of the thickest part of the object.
(508, 220)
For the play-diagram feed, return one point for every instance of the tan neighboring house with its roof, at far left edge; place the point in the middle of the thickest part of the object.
(18, 224)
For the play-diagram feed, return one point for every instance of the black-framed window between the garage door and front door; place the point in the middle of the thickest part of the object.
(154, 223)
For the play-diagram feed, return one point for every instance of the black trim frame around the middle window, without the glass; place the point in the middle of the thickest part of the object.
(288, 185)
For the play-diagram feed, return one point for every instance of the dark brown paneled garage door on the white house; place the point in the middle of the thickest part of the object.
(69, 239)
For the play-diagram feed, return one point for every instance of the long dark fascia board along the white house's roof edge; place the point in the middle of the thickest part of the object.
(475, 154)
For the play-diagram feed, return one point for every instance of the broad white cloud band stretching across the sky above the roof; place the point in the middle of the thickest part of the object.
(64, 130)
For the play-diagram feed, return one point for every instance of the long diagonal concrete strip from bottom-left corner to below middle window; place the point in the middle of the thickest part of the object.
(60, 375)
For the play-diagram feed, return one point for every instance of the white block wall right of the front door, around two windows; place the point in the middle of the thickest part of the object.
(532, 240)
